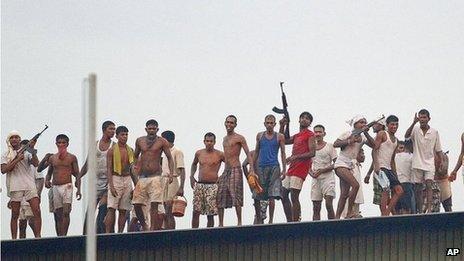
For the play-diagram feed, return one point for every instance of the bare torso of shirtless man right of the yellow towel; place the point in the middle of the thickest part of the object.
(150, 154)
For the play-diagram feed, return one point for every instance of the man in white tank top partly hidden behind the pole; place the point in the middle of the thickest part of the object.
(103, 145)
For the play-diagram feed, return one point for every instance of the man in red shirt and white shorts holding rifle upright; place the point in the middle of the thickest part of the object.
(304, 149)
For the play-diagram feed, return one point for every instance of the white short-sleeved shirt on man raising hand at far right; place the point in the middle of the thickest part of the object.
(425, 146)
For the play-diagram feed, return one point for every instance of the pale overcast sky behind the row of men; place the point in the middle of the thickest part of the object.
(188, 65)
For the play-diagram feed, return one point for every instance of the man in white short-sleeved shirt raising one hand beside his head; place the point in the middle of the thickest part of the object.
(426, 146)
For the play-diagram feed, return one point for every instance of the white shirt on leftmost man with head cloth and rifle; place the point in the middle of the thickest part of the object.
(22, 177)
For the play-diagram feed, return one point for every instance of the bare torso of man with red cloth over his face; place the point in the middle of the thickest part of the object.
(63, 169)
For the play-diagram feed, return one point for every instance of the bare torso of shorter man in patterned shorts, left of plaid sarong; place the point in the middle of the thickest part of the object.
(210, 162)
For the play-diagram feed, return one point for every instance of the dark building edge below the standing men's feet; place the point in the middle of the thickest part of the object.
(423, 237)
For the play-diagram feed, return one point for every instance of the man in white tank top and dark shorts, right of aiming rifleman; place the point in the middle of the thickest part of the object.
(385, 145)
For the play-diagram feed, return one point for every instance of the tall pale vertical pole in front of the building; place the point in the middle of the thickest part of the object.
(91, 250)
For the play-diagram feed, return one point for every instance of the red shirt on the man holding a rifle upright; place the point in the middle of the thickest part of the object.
(300, 168)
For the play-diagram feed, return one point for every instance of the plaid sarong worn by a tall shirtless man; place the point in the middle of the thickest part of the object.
(230, 188)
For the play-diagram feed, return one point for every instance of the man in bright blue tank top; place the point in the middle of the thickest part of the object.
(268, 144)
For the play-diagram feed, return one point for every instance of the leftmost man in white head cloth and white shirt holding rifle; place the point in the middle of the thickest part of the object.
(21, 182)
